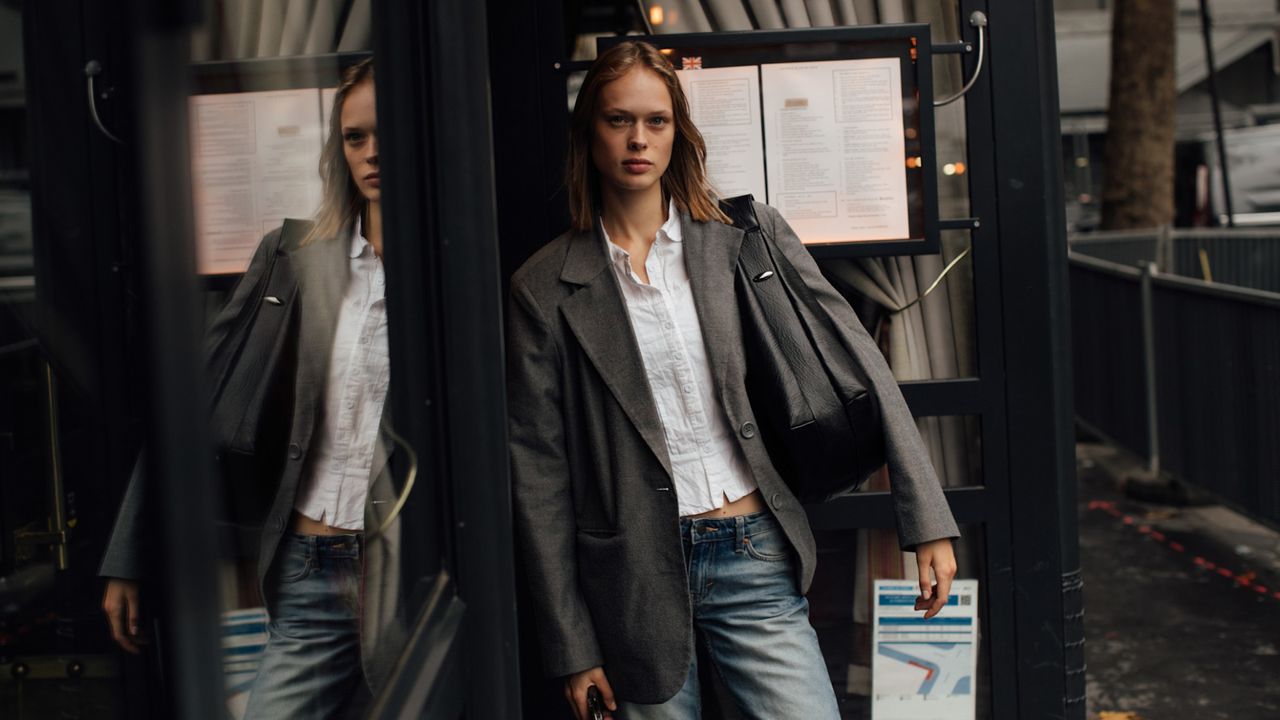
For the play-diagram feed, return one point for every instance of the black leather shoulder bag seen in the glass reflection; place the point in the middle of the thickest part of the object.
(253, 372)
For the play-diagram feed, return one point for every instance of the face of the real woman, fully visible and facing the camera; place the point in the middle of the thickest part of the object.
(633, 133)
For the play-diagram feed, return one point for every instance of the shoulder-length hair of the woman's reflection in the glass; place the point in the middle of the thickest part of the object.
(341, 200)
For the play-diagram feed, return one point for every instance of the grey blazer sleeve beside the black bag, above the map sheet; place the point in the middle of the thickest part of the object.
(920, 504)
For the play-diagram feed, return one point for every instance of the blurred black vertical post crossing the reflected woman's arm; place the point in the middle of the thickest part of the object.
(181, 481)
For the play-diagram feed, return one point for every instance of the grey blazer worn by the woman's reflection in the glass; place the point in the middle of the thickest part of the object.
(323, 272)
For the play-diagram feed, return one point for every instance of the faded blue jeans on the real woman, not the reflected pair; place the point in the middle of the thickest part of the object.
(755, 623)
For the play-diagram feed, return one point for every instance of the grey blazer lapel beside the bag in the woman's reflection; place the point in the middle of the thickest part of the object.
(323, 271)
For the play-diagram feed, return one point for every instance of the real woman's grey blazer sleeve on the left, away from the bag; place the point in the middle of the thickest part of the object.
(541, 485)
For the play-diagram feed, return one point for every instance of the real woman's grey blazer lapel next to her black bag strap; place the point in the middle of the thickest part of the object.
(711, 258)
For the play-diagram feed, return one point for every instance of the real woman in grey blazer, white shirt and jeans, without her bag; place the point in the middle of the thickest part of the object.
(648, 508)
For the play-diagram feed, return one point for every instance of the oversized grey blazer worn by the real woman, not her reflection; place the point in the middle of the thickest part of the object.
(596, 508)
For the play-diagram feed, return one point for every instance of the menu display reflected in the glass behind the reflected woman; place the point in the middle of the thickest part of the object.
(257, 133)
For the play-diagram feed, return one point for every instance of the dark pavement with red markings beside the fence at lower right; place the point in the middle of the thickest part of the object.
(1182, 604)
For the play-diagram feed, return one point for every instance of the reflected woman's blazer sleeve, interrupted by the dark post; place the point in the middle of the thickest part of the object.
(125, 549)
